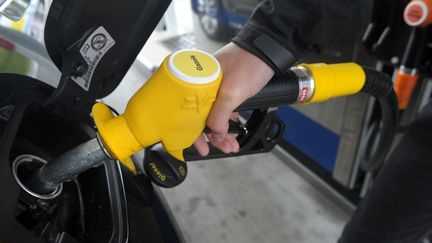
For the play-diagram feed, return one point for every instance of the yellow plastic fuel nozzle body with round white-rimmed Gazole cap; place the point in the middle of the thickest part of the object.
(171, 108)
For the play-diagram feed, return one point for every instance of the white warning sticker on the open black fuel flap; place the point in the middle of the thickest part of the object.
(93, 50)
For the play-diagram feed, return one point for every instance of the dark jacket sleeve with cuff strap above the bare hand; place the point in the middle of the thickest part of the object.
(281, 31)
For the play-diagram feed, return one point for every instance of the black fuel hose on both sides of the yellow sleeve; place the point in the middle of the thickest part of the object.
(285, 89)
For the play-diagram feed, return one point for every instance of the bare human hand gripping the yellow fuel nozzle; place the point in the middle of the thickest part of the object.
(244, 75)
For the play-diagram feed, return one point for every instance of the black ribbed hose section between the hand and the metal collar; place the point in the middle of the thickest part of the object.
(282, 89)
